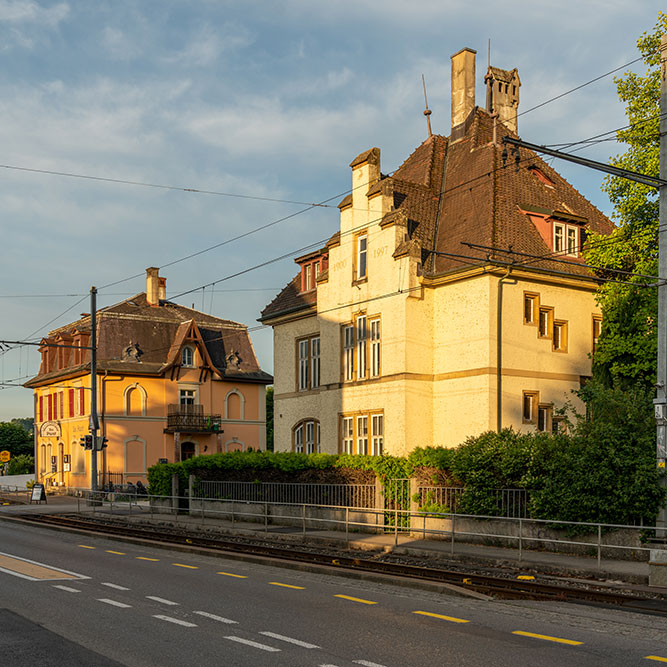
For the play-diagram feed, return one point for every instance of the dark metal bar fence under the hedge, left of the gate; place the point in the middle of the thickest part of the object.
(338, 495)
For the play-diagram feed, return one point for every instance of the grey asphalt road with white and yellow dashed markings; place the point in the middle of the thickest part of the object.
(123, 604)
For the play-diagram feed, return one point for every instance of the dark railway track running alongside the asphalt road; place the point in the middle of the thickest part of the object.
(498, 587)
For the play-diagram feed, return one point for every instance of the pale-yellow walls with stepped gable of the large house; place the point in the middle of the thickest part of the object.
(439, 342)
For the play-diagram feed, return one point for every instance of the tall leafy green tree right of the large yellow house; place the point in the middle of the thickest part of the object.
(627, 349)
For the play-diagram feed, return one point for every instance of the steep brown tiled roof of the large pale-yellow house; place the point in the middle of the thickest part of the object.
(478, 201)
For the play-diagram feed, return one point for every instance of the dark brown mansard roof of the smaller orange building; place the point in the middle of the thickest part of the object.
(158, 333)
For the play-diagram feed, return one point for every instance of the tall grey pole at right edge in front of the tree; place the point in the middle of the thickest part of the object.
(661, 383)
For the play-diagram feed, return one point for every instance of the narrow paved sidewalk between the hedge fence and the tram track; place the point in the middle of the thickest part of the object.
(532, 561)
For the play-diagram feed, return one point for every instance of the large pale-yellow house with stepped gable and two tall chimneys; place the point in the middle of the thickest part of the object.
(451, 301)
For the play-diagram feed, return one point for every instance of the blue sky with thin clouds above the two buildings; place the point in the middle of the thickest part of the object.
(250, 101)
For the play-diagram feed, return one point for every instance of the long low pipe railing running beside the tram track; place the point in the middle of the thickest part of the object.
(453, 528)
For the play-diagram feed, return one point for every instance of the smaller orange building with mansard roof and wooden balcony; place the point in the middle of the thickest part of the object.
(172, 383)
